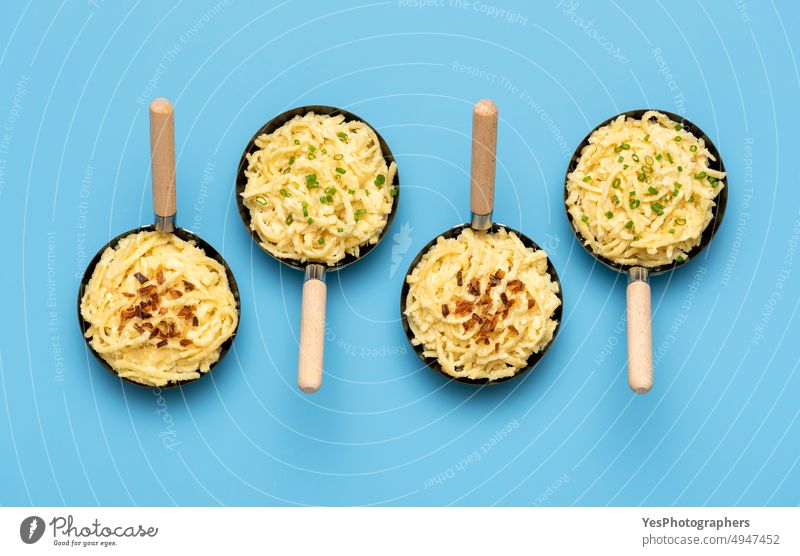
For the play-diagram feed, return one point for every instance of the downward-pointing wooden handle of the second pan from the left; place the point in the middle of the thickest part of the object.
(312, 336)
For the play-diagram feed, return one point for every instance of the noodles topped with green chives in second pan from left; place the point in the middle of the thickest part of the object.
(318, 188)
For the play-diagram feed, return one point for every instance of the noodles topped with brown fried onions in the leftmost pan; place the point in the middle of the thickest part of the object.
(159, 309)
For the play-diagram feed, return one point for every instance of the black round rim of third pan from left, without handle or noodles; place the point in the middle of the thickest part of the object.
(432, 362)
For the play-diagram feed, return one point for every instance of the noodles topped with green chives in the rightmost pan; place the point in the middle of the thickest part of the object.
(642, 192)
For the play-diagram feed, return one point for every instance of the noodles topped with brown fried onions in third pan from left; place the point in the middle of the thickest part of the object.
(481, 304)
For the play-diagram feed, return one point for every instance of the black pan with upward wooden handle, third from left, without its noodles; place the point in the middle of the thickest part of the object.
(484, 143)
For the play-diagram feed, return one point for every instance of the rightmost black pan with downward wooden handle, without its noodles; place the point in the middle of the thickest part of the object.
(640, 349)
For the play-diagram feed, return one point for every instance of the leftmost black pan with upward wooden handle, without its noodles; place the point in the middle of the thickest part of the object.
(162, 144)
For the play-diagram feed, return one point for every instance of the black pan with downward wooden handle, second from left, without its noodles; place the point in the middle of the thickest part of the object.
(312, 324)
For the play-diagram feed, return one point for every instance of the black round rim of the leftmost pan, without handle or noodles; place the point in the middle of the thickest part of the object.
(210, 251)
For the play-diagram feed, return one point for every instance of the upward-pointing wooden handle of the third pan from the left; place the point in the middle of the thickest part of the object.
(484, 150)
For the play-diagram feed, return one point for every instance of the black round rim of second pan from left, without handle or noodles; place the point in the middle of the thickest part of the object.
(270, 126)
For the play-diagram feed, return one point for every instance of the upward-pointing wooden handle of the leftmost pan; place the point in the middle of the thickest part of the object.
(162, 156)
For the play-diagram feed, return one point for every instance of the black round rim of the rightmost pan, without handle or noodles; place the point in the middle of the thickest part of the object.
(718, 212)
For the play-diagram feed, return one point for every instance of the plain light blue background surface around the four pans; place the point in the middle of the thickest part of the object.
(721, 424)
